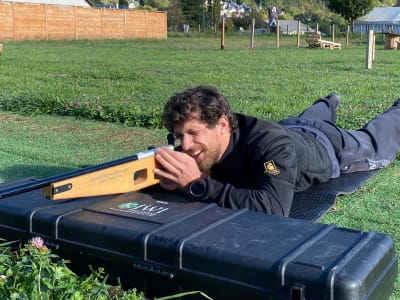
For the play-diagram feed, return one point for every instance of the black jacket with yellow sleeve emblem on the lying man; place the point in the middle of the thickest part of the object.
(264, 165)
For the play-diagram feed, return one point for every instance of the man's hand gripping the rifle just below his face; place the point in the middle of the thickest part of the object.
(175, 169)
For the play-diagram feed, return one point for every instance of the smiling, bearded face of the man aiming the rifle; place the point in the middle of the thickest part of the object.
(206, 145)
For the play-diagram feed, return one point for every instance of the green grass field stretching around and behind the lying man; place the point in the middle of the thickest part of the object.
(128, 81)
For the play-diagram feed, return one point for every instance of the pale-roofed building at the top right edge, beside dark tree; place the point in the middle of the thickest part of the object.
(380, 19)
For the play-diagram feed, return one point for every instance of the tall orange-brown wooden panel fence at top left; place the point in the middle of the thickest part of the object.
(22, 21)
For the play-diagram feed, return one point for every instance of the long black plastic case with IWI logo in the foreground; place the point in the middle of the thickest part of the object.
(228, 254)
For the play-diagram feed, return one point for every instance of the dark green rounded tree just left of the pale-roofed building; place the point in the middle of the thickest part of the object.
(351, 9)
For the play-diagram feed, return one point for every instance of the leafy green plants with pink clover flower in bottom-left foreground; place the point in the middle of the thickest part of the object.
(34, 272)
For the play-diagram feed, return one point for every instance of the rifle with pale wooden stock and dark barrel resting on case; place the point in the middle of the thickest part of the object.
(119, 176)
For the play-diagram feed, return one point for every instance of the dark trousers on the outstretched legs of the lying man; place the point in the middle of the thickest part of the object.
(373, 146)
